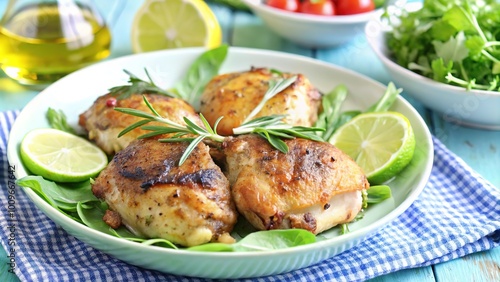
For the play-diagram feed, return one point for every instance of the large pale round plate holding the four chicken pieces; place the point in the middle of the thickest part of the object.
(76, 92)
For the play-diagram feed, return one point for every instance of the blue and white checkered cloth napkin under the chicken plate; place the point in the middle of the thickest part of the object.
(458, 213)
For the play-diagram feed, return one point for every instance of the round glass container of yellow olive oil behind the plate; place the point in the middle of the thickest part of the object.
(42, 42)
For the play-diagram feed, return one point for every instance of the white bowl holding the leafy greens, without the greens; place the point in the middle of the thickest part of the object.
(473, 108)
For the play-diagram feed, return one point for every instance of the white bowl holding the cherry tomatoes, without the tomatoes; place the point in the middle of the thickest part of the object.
(311, 30)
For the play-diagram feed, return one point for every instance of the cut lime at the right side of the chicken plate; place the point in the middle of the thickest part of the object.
(381, 143)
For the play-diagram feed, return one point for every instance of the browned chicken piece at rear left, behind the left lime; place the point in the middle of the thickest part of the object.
(104, 124)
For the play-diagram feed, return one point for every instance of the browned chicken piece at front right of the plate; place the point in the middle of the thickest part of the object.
(315, 186)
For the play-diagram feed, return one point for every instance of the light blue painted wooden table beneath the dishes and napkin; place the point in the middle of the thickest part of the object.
(479, 148)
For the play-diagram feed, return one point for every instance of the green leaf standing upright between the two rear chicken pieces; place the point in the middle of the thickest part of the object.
(203, 69)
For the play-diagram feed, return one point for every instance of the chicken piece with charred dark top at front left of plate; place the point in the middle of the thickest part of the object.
(188, 205)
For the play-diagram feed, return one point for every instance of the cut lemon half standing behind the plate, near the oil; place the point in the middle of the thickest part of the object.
(166, 24)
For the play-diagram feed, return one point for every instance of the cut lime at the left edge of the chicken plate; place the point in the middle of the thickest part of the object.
(60, 156)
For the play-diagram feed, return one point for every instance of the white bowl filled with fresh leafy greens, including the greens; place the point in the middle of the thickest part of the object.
(446, 54)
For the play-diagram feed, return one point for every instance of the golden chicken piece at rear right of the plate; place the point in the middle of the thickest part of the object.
(235, 95)
